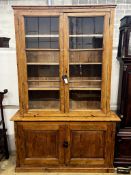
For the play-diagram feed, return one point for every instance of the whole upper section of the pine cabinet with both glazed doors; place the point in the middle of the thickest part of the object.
(64, 59)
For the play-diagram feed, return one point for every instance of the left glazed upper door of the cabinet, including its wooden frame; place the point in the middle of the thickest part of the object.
(42, 60)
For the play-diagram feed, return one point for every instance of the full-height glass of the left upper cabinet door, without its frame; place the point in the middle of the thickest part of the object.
(43, 64)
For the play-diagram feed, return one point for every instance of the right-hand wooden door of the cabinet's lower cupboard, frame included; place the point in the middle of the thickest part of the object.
(90, 145)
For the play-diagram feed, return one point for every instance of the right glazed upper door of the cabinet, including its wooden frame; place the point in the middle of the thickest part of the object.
(85, 61)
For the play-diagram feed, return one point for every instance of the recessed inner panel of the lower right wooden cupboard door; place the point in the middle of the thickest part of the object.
(81, 141)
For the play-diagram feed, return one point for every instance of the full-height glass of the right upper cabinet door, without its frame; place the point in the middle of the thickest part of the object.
(85, 65)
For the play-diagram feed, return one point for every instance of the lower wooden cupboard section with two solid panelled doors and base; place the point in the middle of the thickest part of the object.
(65, 146)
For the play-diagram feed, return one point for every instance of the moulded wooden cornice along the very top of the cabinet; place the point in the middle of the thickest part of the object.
(102, 6)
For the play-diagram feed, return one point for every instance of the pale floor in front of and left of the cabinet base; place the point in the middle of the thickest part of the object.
(7, 167)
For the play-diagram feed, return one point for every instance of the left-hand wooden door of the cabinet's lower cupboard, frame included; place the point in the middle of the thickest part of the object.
(40, 144)
